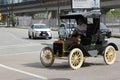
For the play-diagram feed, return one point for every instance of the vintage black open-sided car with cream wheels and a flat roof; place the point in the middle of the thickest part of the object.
(76, 49)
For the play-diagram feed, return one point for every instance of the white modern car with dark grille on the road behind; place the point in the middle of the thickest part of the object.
(39, 31)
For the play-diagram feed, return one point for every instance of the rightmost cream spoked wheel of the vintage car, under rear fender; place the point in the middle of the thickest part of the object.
(109, 55)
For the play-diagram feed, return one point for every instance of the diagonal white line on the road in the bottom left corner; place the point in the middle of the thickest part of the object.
(23, 72)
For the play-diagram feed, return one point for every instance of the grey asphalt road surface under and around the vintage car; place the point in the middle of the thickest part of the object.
(19, 60)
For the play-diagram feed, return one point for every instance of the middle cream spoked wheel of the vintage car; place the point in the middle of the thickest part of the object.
(76, 58)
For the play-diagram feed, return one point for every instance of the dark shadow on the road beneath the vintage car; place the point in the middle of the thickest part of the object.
(60, 66)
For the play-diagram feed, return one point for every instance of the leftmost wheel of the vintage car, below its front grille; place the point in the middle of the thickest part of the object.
(47, 57)
